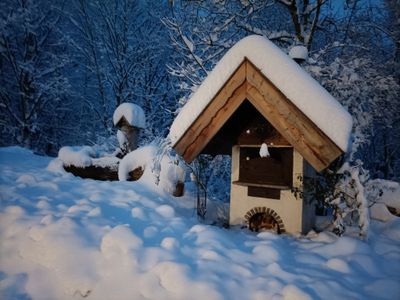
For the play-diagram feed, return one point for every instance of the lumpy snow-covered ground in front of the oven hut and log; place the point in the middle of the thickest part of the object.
(64, 237)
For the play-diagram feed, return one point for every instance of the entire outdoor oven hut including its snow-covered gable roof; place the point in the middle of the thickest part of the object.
(279, 125)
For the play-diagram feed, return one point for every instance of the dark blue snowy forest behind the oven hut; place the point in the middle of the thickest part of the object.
(66, 65)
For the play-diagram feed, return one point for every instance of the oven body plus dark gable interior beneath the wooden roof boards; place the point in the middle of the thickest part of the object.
(263, 189)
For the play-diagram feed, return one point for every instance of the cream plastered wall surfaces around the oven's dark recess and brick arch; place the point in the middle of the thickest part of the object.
(289, 208)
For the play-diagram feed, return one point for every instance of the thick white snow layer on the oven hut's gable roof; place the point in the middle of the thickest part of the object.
(295, 83)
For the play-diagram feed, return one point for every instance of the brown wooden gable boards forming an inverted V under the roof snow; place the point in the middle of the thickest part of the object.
(248, 83)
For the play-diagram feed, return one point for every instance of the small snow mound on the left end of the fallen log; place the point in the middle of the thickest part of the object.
(76, 156)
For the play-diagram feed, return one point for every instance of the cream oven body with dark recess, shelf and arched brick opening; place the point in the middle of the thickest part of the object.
(283, 201)
